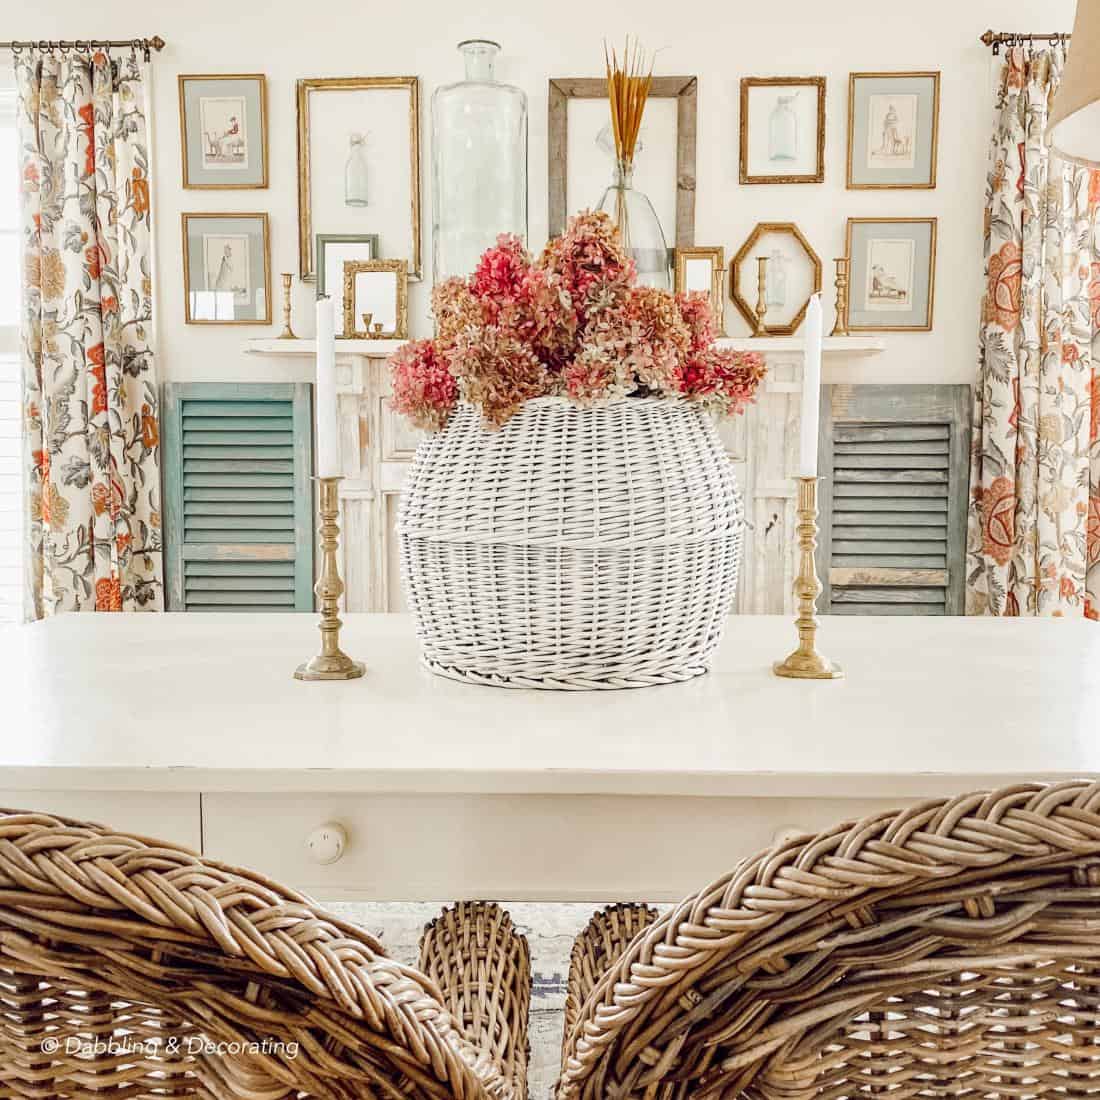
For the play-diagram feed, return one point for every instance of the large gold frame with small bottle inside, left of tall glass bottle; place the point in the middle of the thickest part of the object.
(359, 164)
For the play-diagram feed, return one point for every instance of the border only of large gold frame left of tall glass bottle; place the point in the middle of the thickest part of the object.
(305, 211)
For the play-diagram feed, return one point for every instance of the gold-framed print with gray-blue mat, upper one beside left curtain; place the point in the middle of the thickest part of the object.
(224, 131)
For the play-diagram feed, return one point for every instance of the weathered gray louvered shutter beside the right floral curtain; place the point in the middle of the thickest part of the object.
(893, 500)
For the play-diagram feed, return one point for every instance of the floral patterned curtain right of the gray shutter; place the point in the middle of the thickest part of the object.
(1035, 521)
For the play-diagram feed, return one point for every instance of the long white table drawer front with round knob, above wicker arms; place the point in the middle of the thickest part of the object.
(426, 848)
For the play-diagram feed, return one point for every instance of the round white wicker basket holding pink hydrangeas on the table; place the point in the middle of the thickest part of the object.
(573, 549)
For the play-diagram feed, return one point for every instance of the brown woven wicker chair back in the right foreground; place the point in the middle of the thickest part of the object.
(949, 950)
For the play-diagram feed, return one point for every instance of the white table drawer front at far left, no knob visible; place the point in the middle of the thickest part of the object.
(174, 818)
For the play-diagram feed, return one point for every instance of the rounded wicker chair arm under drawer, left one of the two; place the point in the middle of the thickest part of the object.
(482, 964)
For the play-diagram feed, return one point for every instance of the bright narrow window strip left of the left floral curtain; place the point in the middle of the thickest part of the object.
(12, 511)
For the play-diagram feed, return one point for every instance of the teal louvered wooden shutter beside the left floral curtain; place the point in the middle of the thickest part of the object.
(239, 497)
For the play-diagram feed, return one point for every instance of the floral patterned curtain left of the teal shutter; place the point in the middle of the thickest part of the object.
(90, 386)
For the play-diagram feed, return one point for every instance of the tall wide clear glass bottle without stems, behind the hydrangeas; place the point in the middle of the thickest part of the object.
(479, 156)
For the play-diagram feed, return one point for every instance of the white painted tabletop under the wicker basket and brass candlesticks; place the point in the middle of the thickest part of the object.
(207, 702)
